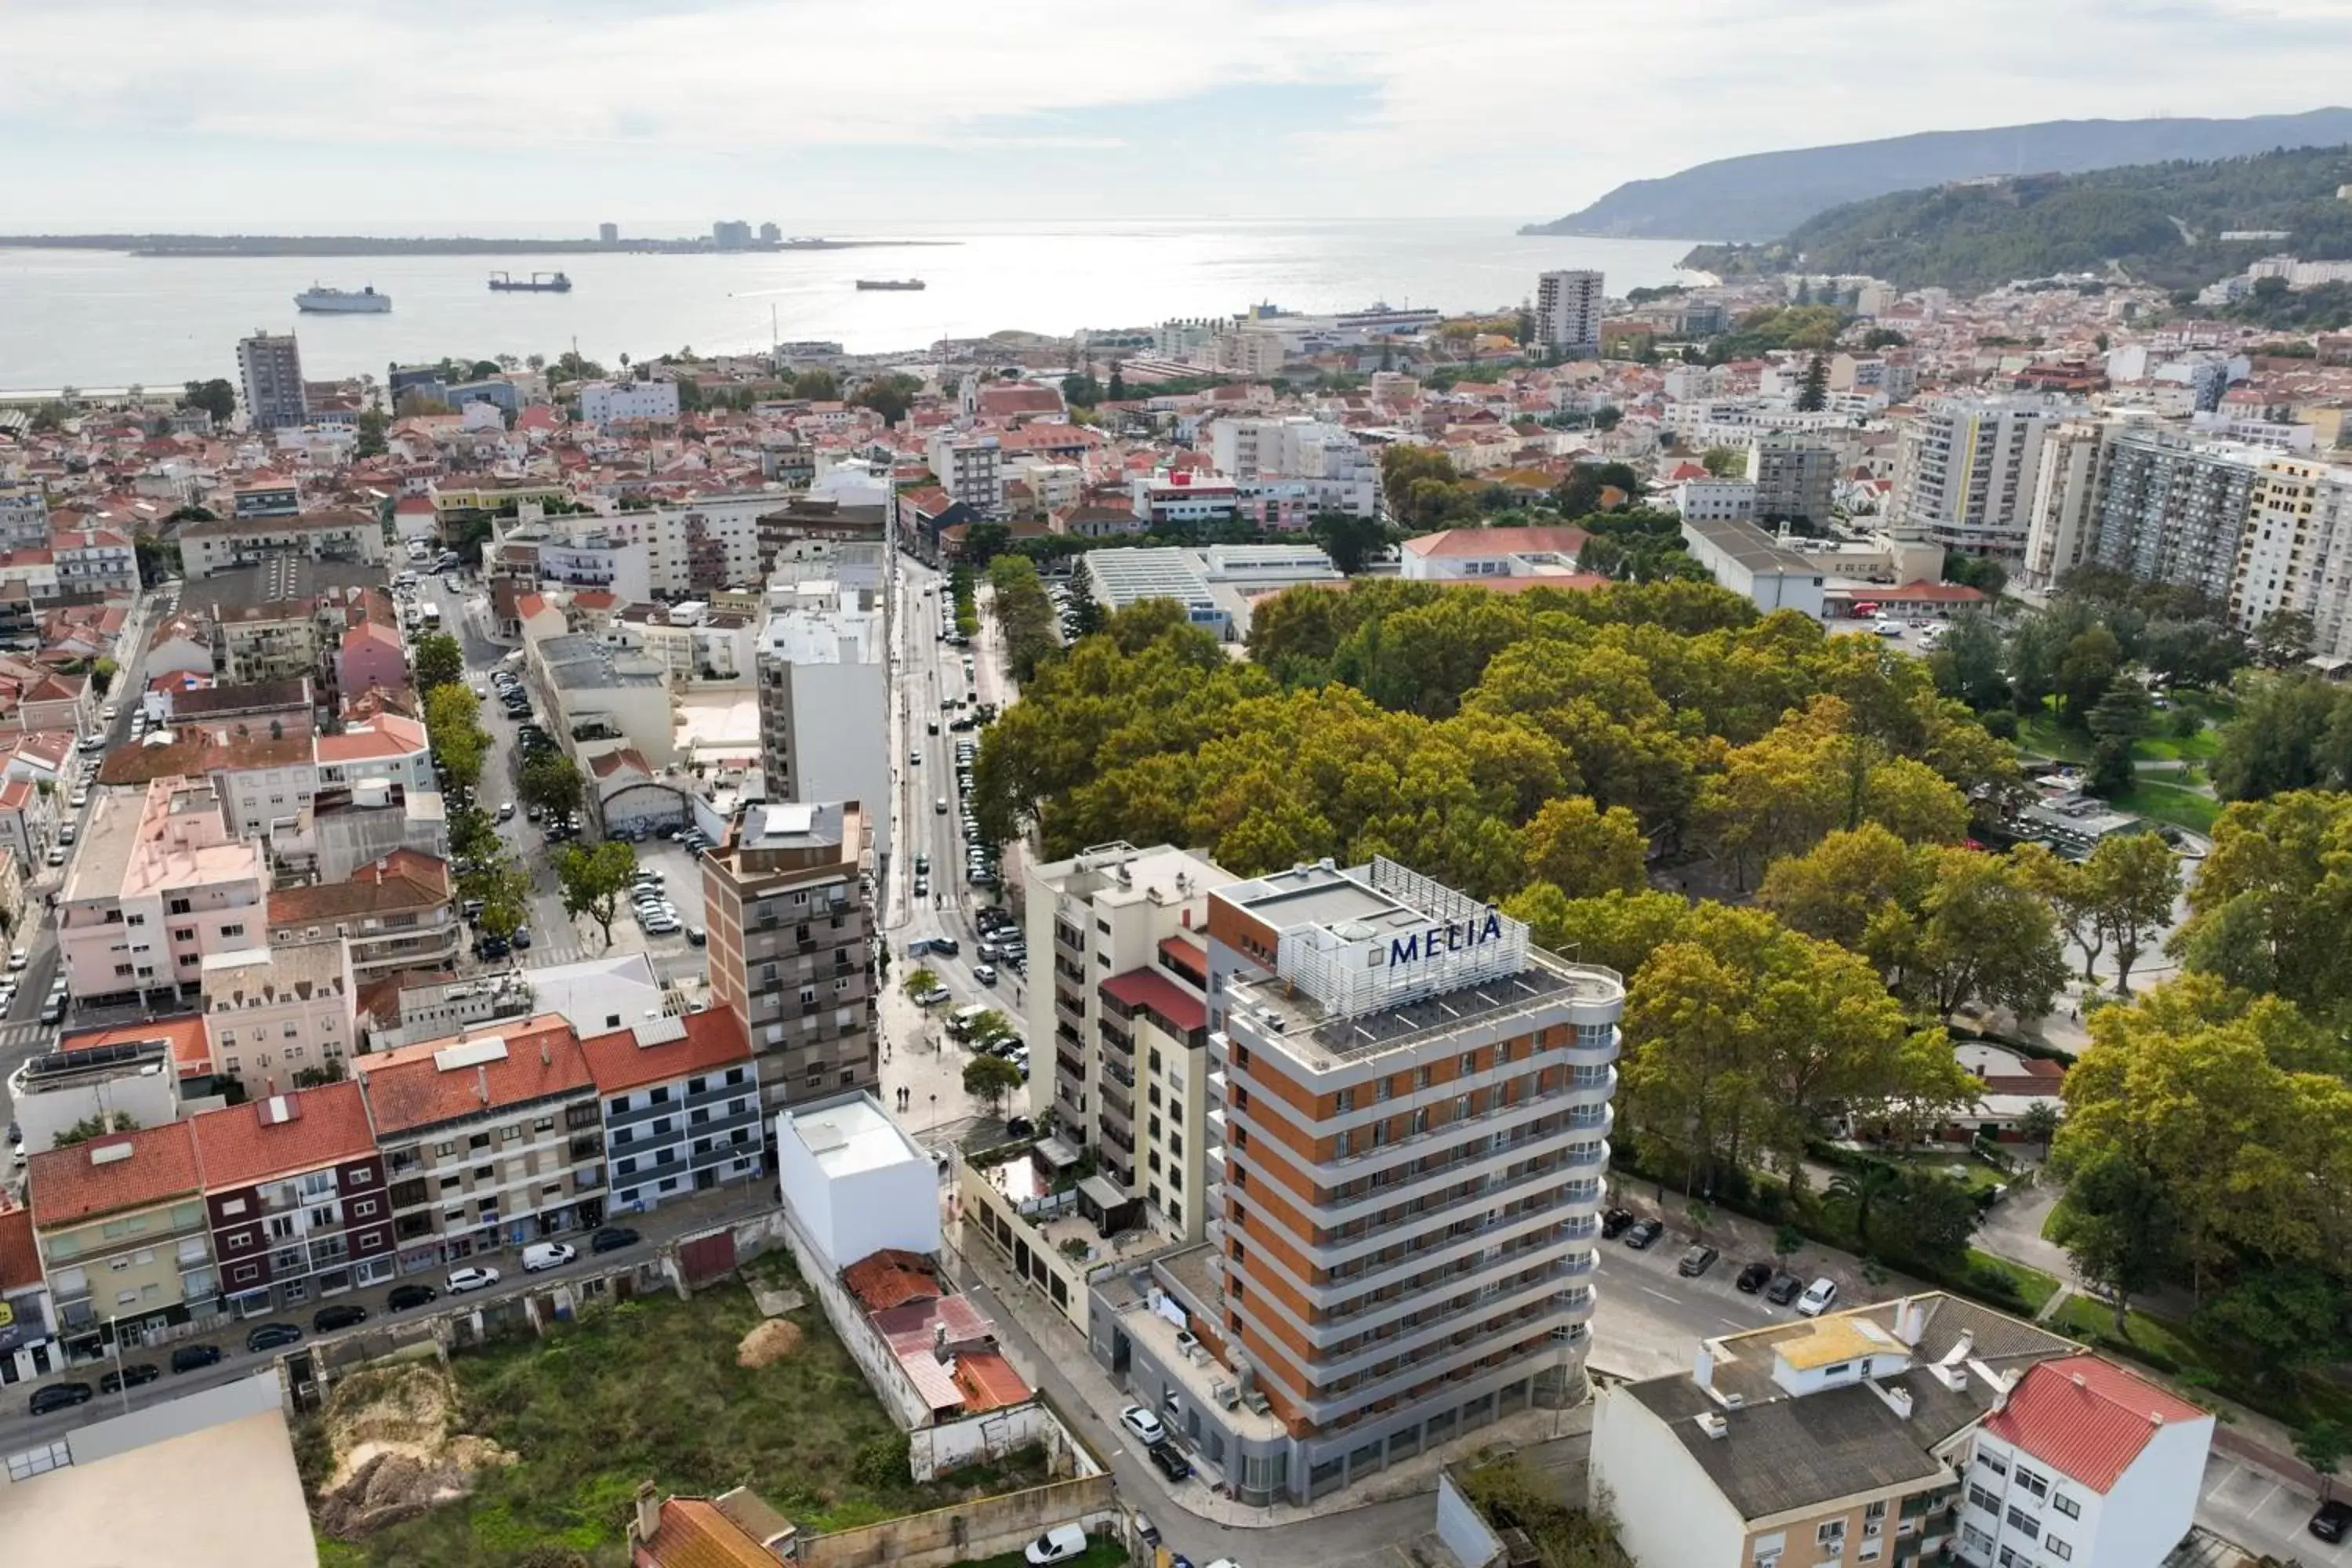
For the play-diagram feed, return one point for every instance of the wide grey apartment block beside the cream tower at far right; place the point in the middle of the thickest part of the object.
(2174, 509)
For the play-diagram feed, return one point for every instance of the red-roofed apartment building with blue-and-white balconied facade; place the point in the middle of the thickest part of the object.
(681, 1106)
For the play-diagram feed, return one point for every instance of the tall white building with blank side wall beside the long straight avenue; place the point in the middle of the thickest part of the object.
(824, 702)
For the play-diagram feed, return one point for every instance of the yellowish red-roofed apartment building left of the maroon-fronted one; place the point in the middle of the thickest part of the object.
(123, 1238)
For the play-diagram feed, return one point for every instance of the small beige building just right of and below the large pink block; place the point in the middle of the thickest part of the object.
(279, 1017)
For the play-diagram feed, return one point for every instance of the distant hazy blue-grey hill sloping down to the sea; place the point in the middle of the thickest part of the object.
(1763, 196)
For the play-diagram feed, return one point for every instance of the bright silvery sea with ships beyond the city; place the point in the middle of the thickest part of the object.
(112, 321)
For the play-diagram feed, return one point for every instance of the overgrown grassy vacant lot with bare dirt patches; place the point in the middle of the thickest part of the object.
(650, 1391)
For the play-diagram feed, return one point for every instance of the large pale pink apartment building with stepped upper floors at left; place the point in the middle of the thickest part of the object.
(159, 887)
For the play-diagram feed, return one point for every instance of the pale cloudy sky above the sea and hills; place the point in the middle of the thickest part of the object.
(519, 116)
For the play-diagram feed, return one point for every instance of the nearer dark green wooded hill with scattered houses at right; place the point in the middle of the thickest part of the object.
(2146, 225)
